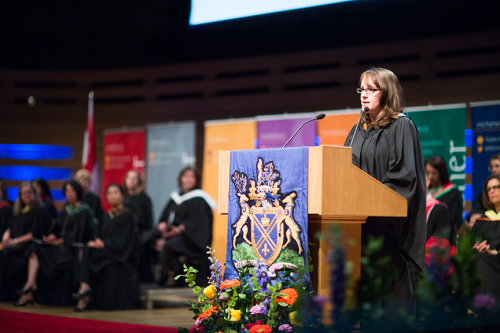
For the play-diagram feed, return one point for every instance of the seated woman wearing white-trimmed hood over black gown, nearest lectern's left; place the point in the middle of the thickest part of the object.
(185, 229)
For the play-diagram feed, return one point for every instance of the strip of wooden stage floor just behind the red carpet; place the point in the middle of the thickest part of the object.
(164, 314)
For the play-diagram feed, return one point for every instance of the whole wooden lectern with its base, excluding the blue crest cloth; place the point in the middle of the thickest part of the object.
(339, 193)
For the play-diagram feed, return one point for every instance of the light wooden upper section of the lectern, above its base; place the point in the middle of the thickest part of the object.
(337, 189)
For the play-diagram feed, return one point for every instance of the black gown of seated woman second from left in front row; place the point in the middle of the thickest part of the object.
(60, 266)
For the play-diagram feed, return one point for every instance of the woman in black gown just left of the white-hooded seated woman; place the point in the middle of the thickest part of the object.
(139, 205)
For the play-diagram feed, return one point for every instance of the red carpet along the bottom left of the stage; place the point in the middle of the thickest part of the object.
(13, 321)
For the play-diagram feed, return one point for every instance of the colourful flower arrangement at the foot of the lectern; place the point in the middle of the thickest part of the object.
(253, 302)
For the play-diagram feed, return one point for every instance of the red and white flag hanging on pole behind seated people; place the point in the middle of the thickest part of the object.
(89, 161)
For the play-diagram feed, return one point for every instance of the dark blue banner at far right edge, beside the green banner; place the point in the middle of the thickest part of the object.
(485, 118)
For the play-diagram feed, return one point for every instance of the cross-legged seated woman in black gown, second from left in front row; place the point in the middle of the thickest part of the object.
(55, 264)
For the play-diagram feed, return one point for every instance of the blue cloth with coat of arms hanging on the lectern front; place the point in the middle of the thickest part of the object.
(267, 218)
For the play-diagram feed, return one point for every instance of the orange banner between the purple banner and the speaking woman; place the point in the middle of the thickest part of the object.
(335, 127)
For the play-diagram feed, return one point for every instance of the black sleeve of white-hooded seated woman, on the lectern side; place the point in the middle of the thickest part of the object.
(198, 225)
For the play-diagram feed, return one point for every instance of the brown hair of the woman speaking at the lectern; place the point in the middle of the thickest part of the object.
(392, 98)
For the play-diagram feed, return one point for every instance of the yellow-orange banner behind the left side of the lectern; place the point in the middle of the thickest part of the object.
(223, 135)
